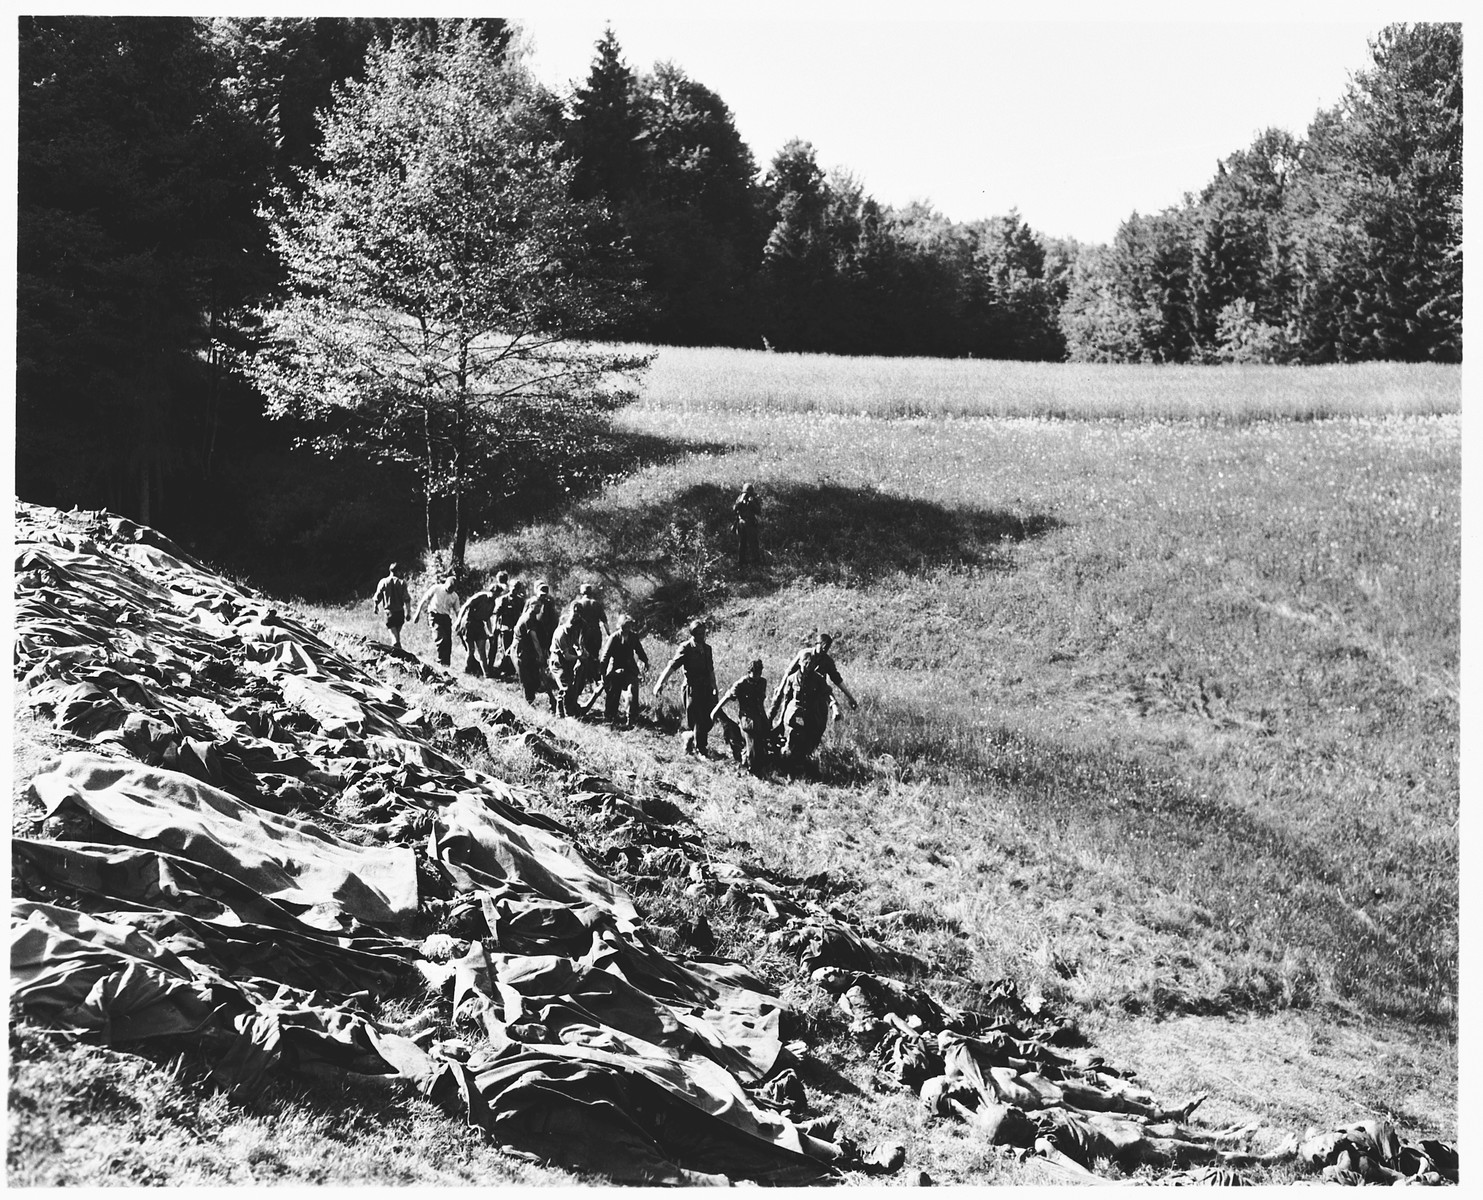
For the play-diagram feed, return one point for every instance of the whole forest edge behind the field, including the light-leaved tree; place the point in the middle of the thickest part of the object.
(186, 191)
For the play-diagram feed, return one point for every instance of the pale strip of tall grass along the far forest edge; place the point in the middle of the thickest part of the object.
(753, 382)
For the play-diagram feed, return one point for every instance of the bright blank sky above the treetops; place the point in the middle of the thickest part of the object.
(1074, 122)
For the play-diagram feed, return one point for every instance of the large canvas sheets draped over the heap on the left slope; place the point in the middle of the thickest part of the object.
(176, 897)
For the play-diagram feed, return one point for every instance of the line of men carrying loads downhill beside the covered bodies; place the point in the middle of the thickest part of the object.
(561, 653)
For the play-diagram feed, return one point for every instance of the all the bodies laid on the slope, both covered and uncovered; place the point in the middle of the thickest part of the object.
(254, 843)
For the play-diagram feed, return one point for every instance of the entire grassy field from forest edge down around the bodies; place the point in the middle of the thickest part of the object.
(1159, 713)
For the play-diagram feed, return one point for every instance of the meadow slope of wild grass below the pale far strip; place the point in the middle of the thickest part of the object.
(1193, 679)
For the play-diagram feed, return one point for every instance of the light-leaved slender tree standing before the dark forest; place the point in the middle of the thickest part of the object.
(444, 289)
